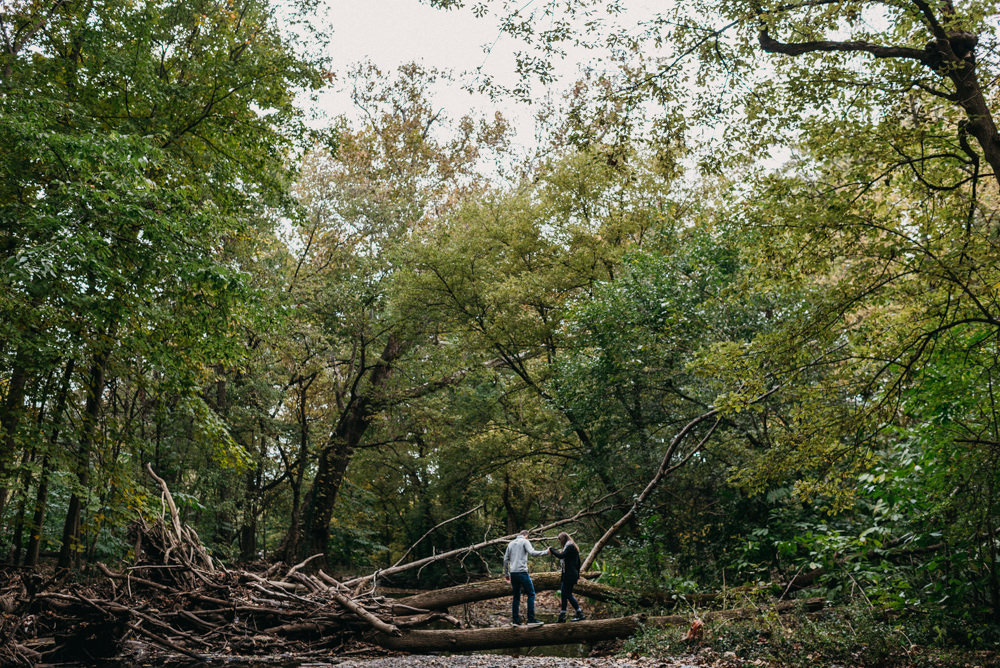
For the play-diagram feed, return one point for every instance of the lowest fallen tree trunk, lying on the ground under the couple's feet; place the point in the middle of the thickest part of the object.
(460, 640)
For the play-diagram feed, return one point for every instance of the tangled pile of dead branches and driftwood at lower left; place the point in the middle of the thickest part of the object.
(170, 601)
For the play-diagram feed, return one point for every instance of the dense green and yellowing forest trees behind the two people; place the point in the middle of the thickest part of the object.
(755, 258)
